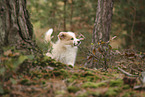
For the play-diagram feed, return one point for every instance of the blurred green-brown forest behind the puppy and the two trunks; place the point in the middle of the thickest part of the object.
(79, 15)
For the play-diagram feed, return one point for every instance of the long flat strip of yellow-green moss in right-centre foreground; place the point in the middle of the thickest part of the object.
(93, 85)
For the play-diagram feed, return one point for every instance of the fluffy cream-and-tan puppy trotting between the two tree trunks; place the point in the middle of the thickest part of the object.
(65, 49)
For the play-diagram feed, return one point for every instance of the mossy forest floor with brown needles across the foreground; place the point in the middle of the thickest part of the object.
(49, 78)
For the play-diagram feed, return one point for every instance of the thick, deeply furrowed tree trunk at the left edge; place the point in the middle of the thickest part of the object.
(15, 25)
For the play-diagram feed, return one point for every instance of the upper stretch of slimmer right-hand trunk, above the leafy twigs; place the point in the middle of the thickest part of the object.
(103, 21)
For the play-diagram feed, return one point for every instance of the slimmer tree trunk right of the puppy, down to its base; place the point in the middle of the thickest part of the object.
(102, 29)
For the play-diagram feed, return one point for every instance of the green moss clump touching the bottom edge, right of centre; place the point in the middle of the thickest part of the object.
(112, 92)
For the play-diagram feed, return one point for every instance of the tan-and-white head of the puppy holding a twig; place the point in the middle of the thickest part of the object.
(69, 38)
